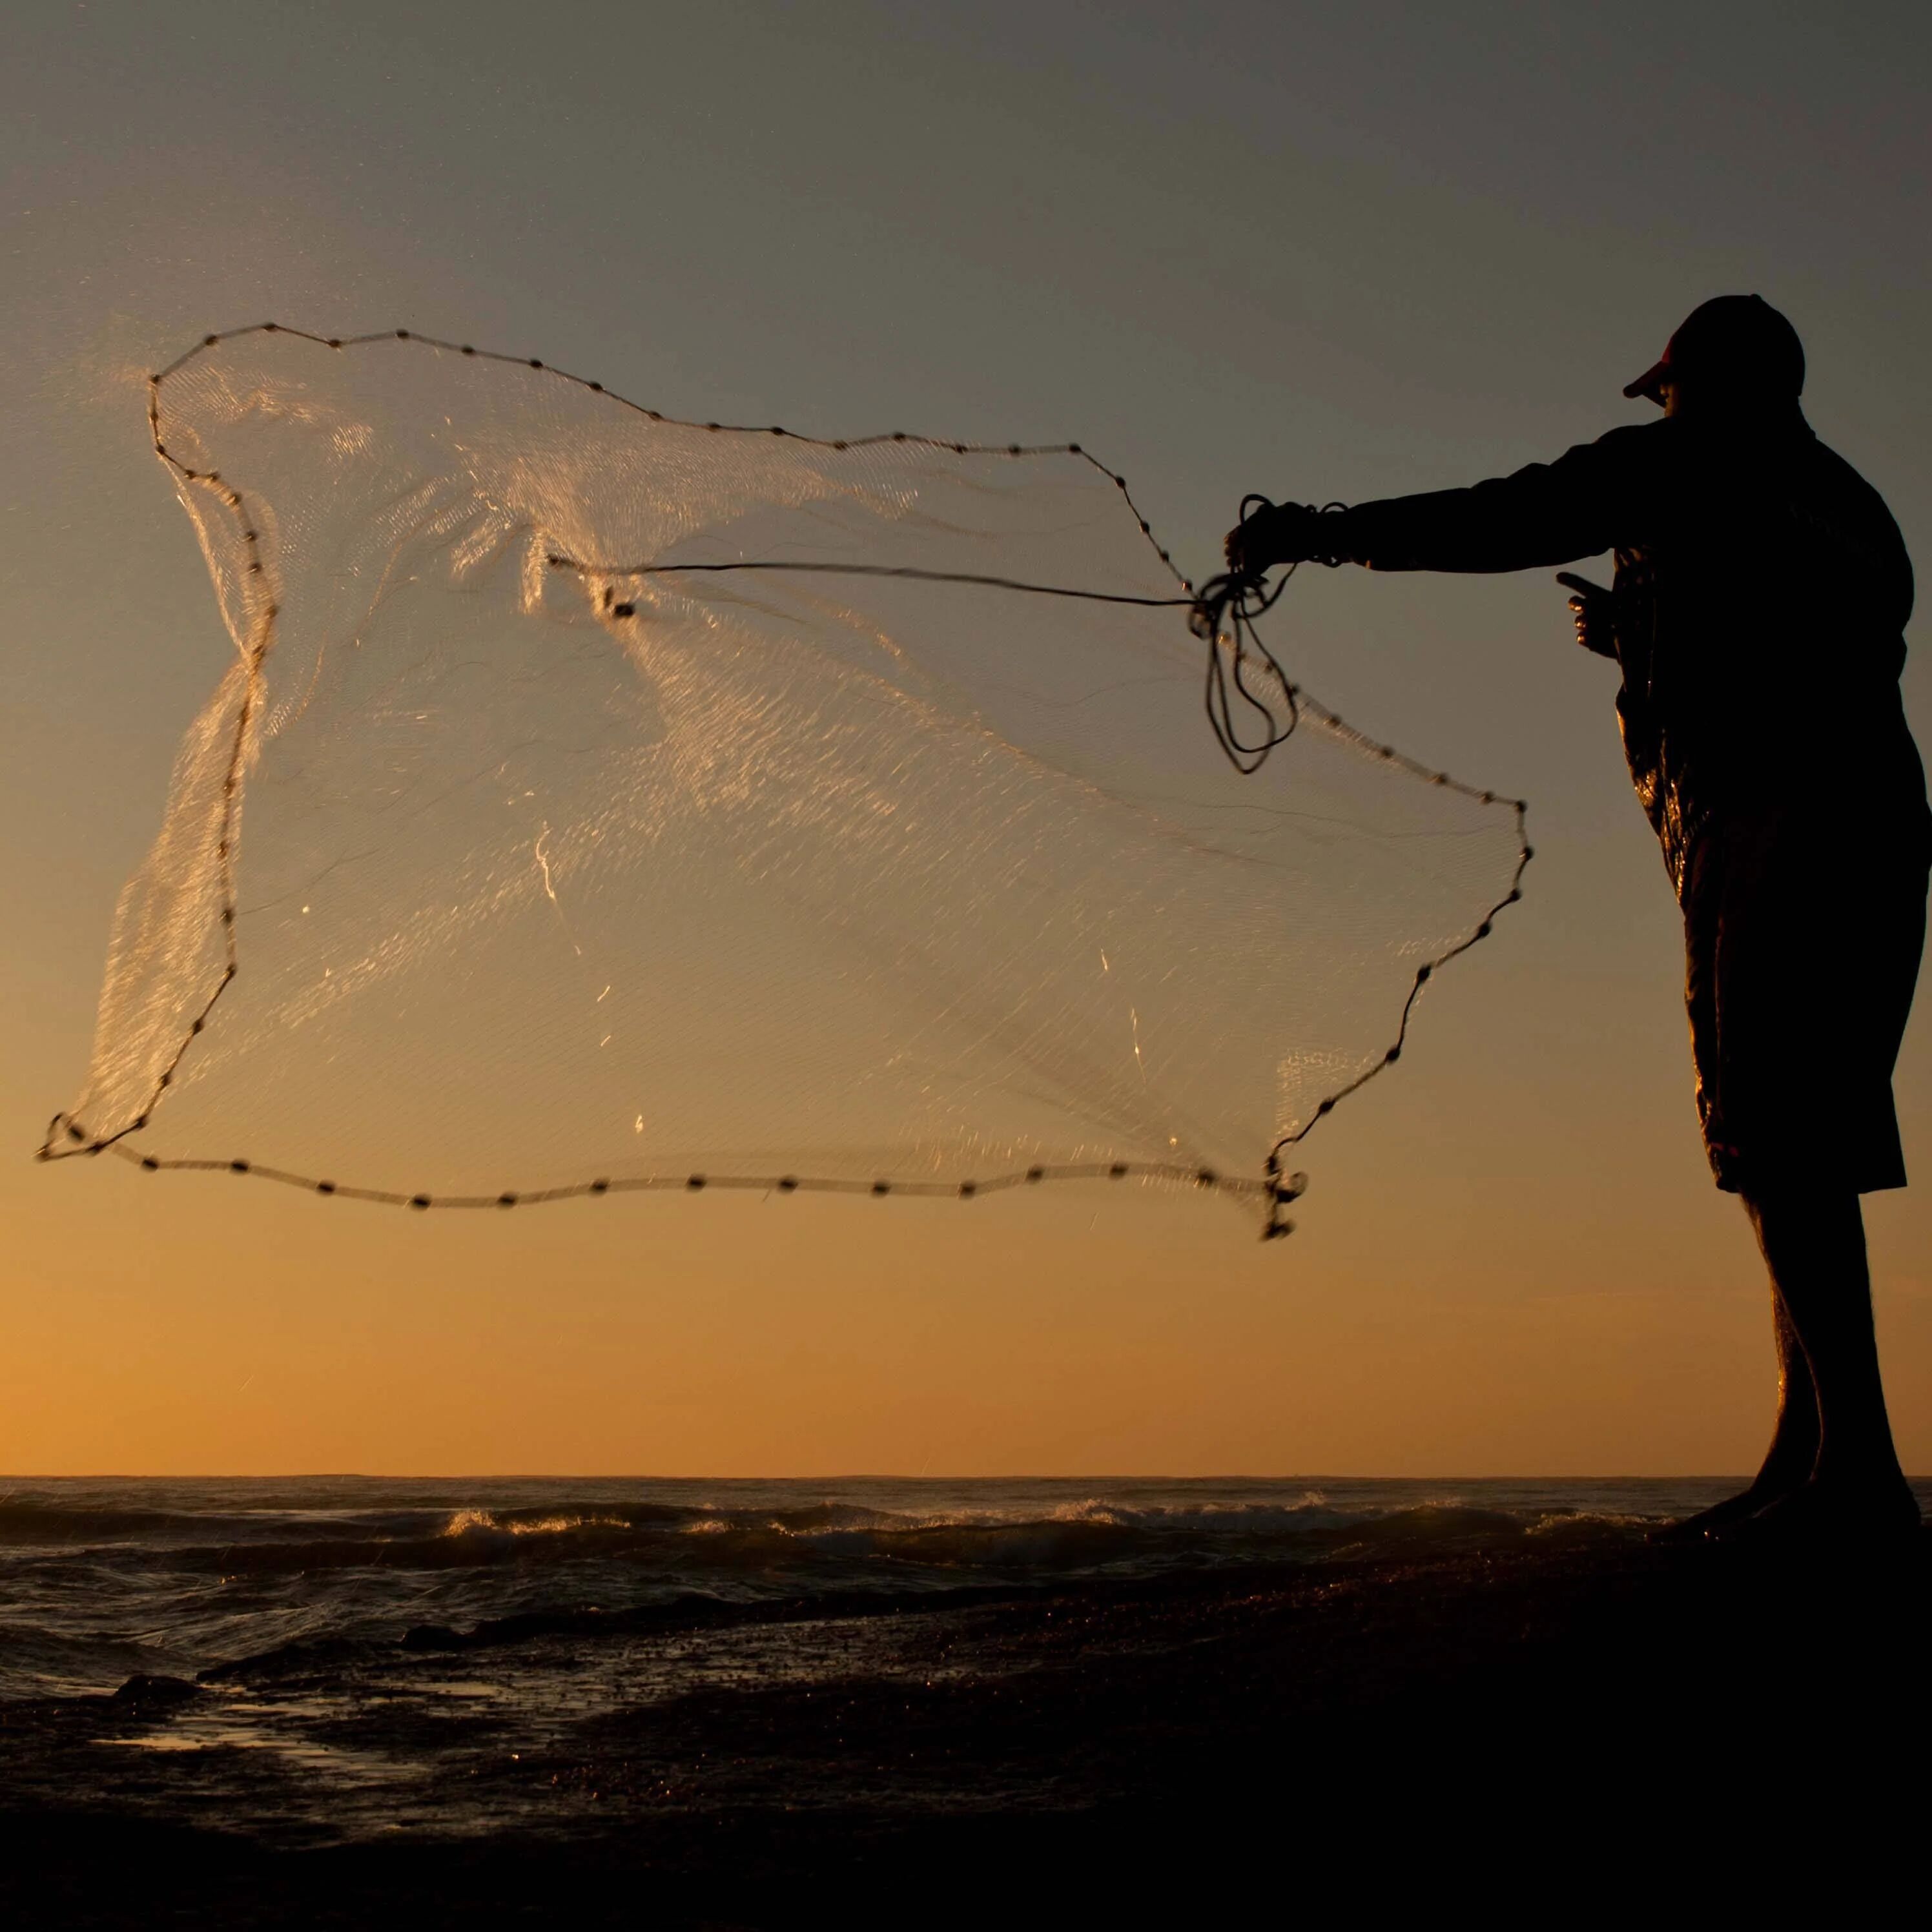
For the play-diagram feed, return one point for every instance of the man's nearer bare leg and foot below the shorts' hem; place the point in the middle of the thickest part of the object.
(1815, 1249)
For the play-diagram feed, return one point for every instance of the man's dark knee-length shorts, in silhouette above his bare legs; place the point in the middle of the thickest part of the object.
(1800, 967)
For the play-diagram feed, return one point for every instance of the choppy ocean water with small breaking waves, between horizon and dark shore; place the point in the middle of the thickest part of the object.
(107, 1579)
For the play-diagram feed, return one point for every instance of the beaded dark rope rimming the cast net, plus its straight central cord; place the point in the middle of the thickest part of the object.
(266, 608)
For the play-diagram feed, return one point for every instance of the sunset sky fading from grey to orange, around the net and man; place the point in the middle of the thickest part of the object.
(1321, 252)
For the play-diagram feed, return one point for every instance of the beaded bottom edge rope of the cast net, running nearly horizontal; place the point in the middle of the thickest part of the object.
(1276, 1191)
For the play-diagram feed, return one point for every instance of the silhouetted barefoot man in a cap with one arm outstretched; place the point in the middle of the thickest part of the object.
(1757, 615)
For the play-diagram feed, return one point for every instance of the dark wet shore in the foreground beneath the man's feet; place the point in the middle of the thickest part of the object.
(1605, 1709)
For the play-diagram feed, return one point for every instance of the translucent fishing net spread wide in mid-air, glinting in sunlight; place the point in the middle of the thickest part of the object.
(611, 803)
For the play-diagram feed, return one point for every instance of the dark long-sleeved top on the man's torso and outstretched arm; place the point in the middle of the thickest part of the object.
(1761, 600)
